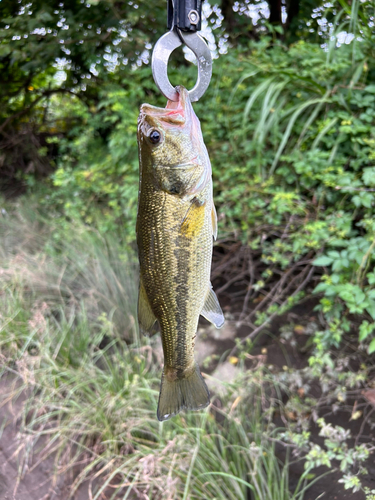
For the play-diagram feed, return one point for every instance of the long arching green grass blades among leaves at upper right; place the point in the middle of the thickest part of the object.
(278, 114)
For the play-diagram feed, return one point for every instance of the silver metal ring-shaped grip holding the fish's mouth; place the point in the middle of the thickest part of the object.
(159, 63)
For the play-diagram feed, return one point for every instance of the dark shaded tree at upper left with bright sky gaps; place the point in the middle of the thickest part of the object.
(88, 41)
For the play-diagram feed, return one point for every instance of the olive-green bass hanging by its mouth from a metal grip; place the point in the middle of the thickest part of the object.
(176, 225)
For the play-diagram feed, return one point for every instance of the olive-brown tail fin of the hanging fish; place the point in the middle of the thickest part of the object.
(189, 393)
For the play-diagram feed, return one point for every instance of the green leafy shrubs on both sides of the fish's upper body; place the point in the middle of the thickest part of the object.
(291, 136)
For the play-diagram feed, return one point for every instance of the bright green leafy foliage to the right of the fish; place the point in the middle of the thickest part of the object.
(306, 139)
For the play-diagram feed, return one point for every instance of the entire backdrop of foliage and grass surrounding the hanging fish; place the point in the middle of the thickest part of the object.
(289, 122)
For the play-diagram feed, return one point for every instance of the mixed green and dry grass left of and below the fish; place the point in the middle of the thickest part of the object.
(69, 342)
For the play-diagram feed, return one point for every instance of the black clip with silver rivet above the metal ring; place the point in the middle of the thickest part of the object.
(186, 15)
